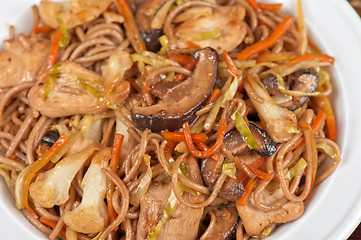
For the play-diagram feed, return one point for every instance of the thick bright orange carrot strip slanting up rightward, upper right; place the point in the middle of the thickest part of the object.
(279, 31)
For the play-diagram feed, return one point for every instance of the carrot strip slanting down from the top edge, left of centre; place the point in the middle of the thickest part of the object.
(131, 27)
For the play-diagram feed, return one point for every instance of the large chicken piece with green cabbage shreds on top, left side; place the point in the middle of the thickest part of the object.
(70, 93)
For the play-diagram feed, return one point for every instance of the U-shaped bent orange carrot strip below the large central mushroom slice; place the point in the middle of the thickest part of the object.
(212, 150)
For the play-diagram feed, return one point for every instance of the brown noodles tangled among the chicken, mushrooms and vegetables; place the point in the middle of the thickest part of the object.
(91, 44)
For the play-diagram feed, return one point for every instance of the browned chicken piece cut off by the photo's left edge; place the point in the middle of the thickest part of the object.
(22, 60)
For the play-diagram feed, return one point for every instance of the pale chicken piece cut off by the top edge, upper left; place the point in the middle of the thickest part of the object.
(72, 13)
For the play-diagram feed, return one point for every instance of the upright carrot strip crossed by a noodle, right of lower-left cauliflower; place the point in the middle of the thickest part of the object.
(114, 164)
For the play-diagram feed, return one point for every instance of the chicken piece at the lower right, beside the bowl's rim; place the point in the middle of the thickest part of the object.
(255, 220)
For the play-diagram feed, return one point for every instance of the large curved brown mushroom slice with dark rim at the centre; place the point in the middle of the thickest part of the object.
(181, 103)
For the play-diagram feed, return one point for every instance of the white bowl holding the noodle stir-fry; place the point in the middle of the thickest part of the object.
(334, 208)
